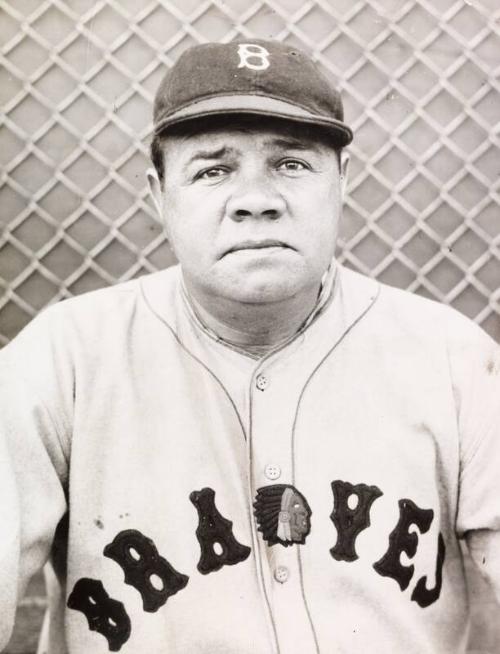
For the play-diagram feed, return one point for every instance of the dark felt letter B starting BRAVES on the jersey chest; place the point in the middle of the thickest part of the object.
(104, 614)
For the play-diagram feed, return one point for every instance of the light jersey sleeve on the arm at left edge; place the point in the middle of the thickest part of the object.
(34, 454)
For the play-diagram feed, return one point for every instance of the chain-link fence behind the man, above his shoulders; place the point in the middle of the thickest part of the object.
(420, 86)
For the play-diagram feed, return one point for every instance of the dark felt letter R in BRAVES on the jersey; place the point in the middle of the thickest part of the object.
(148, 572)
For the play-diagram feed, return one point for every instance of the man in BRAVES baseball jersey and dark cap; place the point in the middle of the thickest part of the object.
(257, 451)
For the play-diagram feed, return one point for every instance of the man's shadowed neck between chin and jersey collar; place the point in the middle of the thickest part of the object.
(253, 326)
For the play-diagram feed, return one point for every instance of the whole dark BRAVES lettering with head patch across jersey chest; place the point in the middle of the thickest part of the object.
(283, 517)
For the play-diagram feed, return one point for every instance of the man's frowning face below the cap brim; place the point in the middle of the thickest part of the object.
(251, 211)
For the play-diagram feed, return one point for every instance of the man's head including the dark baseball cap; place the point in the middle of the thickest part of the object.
(247, 151)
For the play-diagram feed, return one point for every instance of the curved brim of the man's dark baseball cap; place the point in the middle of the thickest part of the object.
(256, 105)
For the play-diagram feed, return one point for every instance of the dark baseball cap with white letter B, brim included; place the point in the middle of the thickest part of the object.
(257, 77)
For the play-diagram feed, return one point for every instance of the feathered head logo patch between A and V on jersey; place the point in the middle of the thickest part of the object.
(283, 515)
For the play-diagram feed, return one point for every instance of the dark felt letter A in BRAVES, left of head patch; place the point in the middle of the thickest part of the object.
(218, 545)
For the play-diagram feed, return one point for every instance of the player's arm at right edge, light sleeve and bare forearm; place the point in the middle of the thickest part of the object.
(475, 368)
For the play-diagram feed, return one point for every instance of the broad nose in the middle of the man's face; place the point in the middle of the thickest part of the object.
(256, 198)
